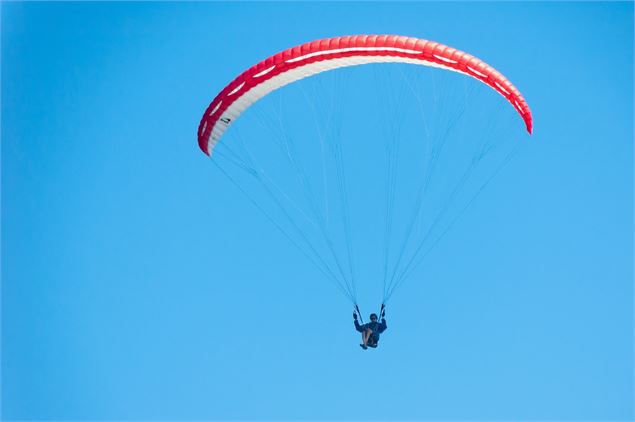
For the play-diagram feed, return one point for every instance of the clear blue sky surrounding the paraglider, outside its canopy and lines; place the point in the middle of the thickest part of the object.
(139, 284)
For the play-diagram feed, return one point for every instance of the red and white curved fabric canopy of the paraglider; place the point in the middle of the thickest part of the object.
(318, 56)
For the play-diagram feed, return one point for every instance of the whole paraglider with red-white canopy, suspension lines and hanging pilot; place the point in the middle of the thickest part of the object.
(307, 225)
